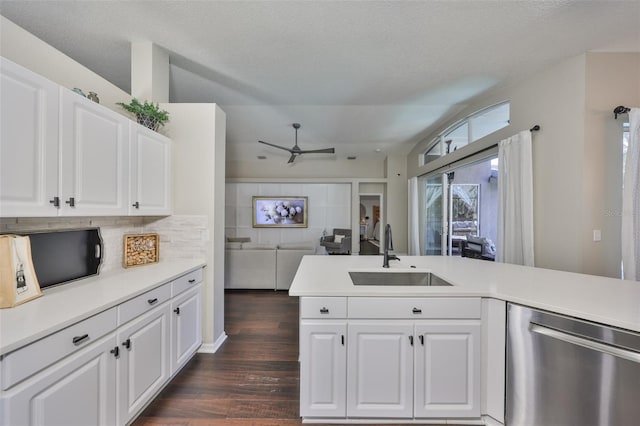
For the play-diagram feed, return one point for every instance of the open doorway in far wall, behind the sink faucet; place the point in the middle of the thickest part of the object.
(371, 223)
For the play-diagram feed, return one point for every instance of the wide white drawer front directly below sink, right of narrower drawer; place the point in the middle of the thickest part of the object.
(414, 308)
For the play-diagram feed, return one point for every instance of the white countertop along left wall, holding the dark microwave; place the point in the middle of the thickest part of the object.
(67, 304)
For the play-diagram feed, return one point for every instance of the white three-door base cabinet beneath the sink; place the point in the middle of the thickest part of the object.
(392, 368)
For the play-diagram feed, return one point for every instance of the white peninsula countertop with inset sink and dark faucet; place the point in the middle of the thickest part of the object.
(604, 300)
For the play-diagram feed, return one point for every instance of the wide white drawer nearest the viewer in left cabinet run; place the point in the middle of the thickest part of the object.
(23, 362)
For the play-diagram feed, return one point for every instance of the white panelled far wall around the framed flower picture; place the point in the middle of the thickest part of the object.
(329, 206)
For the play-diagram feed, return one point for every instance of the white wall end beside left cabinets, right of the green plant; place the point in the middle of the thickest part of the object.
(197, 132)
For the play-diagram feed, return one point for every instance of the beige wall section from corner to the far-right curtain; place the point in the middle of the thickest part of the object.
(612, 79)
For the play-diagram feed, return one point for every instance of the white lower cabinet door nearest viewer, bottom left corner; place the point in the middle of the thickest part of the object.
(78, 391)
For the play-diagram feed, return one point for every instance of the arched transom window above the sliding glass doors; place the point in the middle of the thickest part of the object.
(468, 130)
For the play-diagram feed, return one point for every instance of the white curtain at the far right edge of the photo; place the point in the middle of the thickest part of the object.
(631, 202)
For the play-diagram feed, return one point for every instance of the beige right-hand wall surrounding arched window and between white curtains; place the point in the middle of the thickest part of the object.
(575, 173)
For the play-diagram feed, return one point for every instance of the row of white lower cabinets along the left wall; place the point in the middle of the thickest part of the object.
(103, 371)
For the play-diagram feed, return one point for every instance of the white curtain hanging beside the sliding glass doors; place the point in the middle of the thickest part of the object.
(515, 200)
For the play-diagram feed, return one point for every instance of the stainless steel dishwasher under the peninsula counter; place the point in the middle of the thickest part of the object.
(563, 371)
